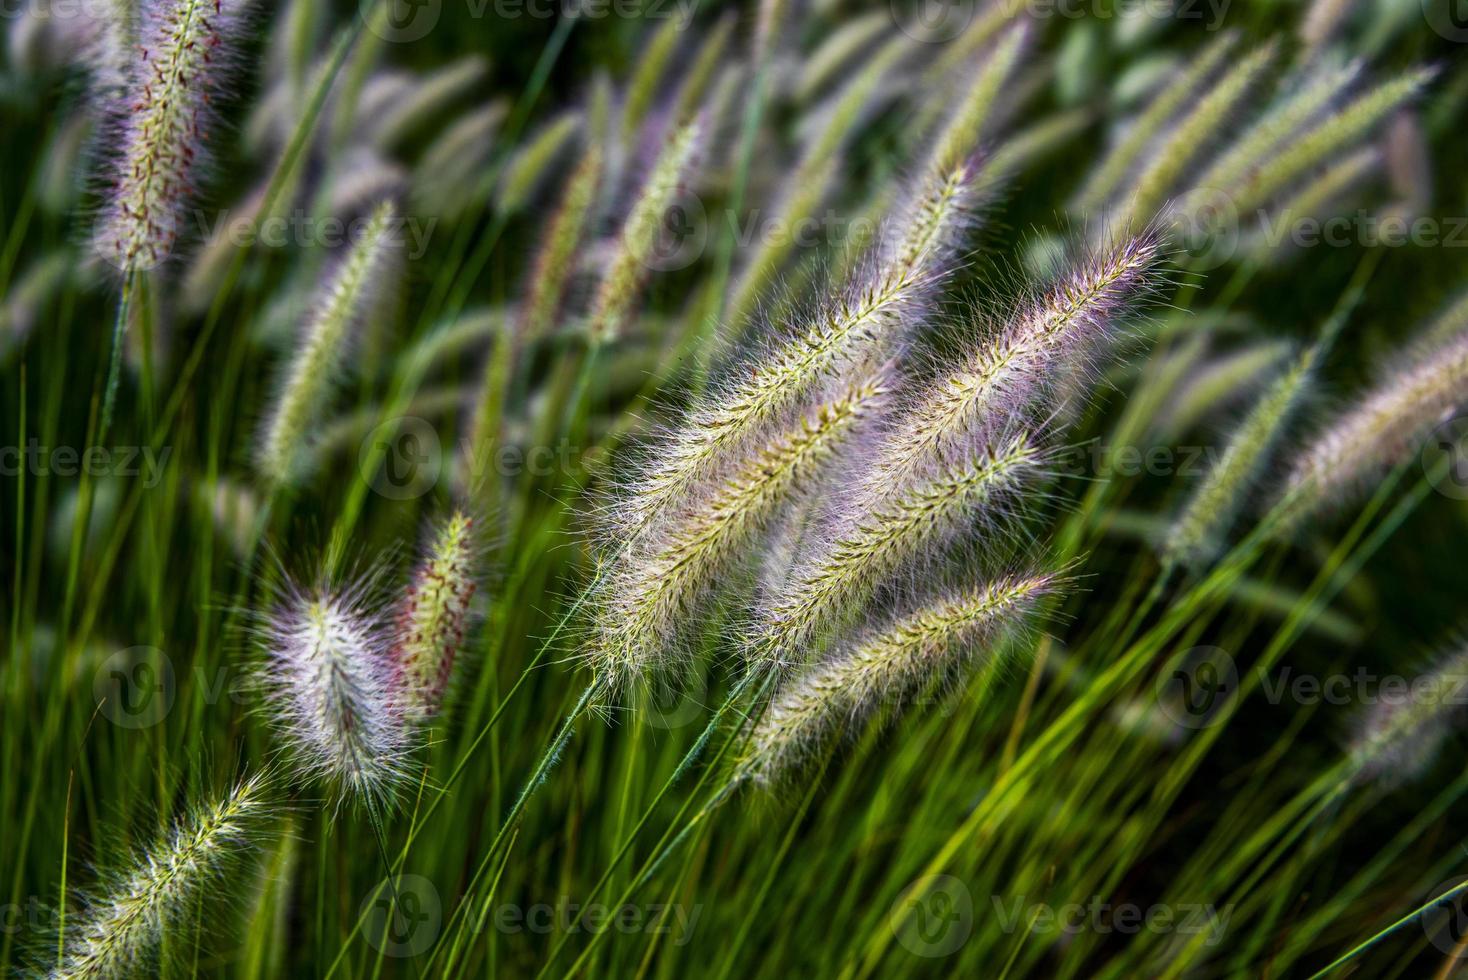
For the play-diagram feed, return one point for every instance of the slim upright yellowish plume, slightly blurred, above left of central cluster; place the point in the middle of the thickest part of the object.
(635, 257)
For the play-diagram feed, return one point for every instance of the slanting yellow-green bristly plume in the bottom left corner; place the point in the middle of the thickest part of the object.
(161, 896)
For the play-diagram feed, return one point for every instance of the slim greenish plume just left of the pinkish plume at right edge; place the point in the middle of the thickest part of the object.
(1203, 526)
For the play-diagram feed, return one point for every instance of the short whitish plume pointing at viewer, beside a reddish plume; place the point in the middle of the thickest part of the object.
(331, 692)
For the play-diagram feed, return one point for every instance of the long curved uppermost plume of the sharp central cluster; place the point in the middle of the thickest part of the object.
(860, 326)
